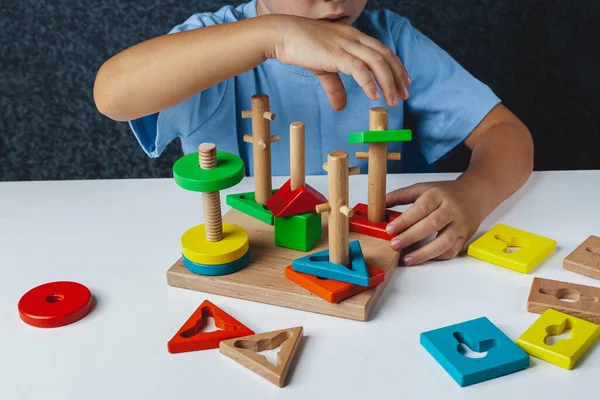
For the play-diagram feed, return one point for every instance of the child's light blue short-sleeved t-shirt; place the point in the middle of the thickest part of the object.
(446, 103)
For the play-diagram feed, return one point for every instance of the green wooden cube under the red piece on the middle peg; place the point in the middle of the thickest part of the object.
(298, 232)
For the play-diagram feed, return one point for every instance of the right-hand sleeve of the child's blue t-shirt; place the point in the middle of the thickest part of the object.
(446, 102)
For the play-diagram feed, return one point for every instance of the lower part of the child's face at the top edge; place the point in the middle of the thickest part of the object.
(342, 11)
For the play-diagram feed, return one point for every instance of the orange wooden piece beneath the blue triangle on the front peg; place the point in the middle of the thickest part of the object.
(331, 290)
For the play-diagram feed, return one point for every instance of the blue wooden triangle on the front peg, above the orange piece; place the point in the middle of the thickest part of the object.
(318, 264)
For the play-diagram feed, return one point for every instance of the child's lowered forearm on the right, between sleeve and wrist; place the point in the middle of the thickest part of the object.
(501, 162)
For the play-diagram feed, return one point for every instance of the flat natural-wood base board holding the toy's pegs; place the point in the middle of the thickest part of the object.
(264, 281)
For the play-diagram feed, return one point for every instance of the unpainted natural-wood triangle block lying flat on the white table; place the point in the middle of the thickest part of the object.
(245, 352)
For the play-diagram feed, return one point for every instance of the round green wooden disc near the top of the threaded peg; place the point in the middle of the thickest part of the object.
(189, 175)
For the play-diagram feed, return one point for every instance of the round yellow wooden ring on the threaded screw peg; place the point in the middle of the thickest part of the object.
(196, 248)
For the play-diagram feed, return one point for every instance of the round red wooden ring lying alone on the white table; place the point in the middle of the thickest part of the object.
(55, 304)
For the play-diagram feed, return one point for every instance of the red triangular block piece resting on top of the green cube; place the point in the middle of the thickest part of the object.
(285, 202)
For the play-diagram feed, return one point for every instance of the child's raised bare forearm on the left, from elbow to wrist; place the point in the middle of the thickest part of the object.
(165, 71)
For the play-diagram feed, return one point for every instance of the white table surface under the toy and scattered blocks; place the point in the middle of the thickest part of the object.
(119, 238)
